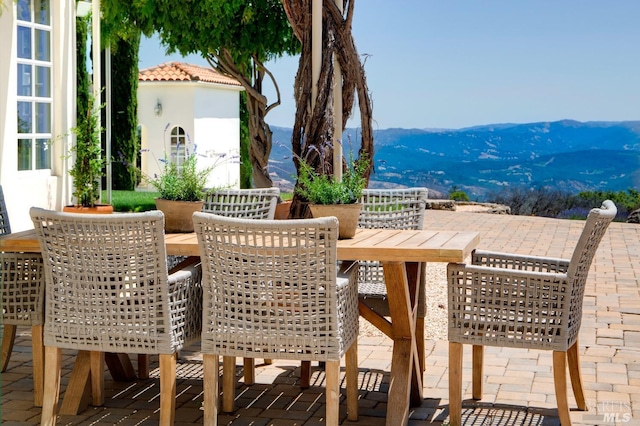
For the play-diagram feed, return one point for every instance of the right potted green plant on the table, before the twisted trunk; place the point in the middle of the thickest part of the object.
(328, 196)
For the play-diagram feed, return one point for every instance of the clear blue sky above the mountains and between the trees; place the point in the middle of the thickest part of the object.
(454, 64)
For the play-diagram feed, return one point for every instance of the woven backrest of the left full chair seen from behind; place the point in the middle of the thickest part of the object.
(106, 281)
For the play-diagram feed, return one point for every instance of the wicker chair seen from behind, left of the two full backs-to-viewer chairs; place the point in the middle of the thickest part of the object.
(108, 290)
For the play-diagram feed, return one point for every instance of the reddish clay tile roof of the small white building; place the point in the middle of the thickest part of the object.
(180, 71)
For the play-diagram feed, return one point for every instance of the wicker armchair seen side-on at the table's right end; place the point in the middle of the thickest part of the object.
(517, 301)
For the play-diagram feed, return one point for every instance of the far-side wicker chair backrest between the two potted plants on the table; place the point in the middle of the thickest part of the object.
(257, 203)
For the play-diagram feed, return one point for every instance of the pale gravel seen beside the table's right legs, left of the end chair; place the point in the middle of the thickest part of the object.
(436, 320)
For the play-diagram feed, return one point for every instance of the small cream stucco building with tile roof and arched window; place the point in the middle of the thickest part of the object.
(186, 109)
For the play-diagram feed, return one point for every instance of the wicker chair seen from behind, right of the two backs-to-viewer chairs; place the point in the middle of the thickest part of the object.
(271, 290)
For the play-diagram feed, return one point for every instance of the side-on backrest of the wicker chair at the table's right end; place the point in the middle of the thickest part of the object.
(594, 229)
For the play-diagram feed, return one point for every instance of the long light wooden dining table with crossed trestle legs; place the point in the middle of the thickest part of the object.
(401, 253)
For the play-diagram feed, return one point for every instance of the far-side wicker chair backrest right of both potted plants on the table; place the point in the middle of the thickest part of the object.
(393, 208)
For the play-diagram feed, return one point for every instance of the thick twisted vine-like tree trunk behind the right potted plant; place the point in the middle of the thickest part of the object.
(314, 126)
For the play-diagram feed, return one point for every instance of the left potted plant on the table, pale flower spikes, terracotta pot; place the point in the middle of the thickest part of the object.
(182, 190)
